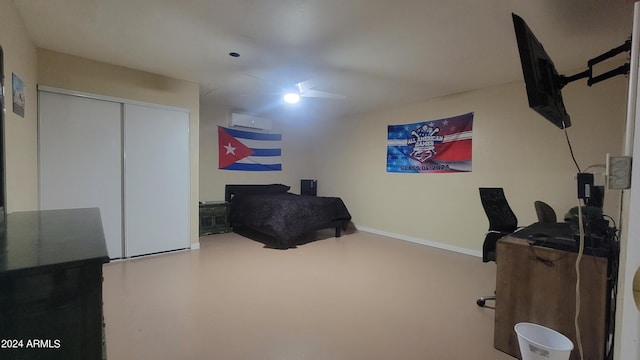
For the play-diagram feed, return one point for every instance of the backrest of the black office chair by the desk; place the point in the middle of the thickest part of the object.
(501, 217)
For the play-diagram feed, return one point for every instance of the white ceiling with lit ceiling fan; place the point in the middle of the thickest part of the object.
(378, 53)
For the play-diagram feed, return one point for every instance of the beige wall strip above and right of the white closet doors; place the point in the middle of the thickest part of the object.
(75, 73)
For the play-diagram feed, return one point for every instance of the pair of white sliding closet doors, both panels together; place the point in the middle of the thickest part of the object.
(129, 160)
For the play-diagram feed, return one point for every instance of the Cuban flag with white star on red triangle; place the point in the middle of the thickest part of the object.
(248, 150)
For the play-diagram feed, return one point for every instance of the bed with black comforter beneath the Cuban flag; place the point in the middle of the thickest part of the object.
(285, 218)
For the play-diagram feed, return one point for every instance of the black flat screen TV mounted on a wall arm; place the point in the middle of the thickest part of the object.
(540, 76)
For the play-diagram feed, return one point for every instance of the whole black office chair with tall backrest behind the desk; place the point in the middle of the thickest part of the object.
(502, 221)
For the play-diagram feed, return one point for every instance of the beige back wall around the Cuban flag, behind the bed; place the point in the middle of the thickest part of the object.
(295, 157)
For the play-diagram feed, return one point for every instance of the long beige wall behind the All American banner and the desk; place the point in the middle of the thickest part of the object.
(513, 148)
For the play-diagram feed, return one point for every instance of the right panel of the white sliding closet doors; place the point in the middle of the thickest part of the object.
(156, 179)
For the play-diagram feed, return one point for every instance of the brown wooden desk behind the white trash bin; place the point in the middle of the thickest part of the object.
(528, 290)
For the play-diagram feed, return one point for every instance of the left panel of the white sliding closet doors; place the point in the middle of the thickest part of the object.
(80, 152)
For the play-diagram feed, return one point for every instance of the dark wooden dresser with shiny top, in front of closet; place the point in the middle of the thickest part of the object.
(51, 285)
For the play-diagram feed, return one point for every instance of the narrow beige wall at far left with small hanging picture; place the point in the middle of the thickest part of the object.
(20, 133)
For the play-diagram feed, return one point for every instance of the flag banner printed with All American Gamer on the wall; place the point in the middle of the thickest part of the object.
(437, 146)
